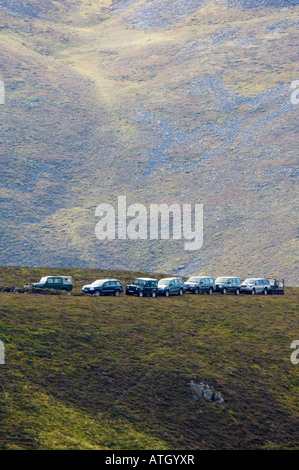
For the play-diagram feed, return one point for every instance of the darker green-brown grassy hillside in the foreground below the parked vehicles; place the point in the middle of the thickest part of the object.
(115, 373)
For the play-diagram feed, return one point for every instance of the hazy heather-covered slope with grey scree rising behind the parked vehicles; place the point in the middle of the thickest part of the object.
(159, 101)
